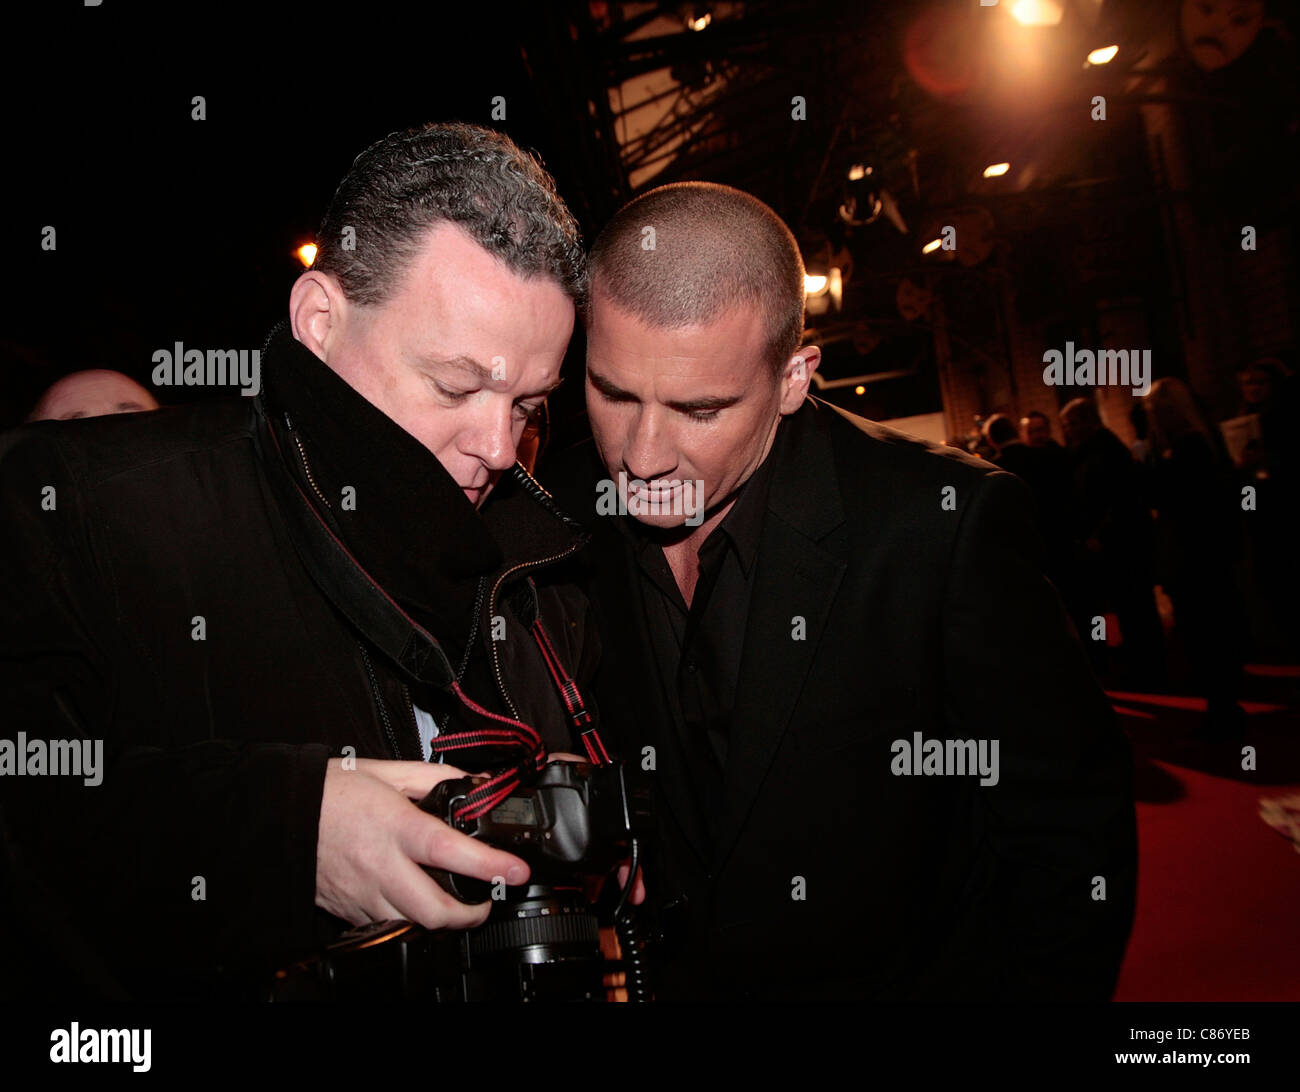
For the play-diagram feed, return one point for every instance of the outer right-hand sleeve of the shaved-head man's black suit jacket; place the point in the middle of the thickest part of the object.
(1060, 821)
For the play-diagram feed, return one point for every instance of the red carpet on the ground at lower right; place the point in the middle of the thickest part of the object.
(1219, 890)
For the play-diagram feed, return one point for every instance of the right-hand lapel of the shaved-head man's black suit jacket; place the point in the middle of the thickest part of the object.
(796, 578)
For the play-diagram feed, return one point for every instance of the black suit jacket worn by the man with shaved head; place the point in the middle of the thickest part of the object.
(879, 613)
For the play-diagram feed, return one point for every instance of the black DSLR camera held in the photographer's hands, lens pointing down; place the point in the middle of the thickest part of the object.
(573, 824)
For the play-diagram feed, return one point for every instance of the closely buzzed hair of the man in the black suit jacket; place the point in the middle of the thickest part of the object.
(712, 248)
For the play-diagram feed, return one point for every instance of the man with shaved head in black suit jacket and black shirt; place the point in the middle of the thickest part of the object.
(883, 769)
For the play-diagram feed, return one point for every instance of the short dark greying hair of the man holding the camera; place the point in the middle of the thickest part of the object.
(478, 179)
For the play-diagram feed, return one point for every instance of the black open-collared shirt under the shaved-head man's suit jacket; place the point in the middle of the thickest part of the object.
(697, 651)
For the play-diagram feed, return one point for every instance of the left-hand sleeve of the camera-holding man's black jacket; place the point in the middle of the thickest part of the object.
(123, 856)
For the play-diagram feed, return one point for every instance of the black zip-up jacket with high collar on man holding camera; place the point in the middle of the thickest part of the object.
(183, 586)
